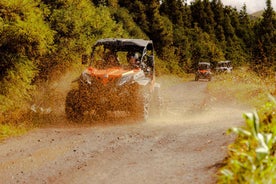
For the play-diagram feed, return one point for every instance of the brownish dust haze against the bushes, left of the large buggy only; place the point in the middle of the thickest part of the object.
(47, 106)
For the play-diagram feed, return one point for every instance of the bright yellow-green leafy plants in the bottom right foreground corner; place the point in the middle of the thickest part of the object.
(252, 156)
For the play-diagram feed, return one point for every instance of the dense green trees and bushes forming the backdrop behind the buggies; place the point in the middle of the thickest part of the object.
(41, 38)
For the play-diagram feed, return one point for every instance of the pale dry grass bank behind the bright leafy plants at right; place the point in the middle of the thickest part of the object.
(244, 86)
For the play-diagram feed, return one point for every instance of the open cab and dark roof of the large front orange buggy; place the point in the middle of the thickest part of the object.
(122, 52)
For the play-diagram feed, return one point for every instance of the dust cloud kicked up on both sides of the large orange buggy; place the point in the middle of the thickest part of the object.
(182, 102)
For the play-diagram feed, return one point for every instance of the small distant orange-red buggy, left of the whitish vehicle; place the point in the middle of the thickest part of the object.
(203, 71)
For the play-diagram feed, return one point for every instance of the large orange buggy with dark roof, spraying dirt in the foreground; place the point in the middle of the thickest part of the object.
(120, 77)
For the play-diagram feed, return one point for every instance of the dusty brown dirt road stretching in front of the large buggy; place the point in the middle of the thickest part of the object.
(184, 145)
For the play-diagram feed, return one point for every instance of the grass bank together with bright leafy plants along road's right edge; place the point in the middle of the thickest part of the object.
(252, 157)
